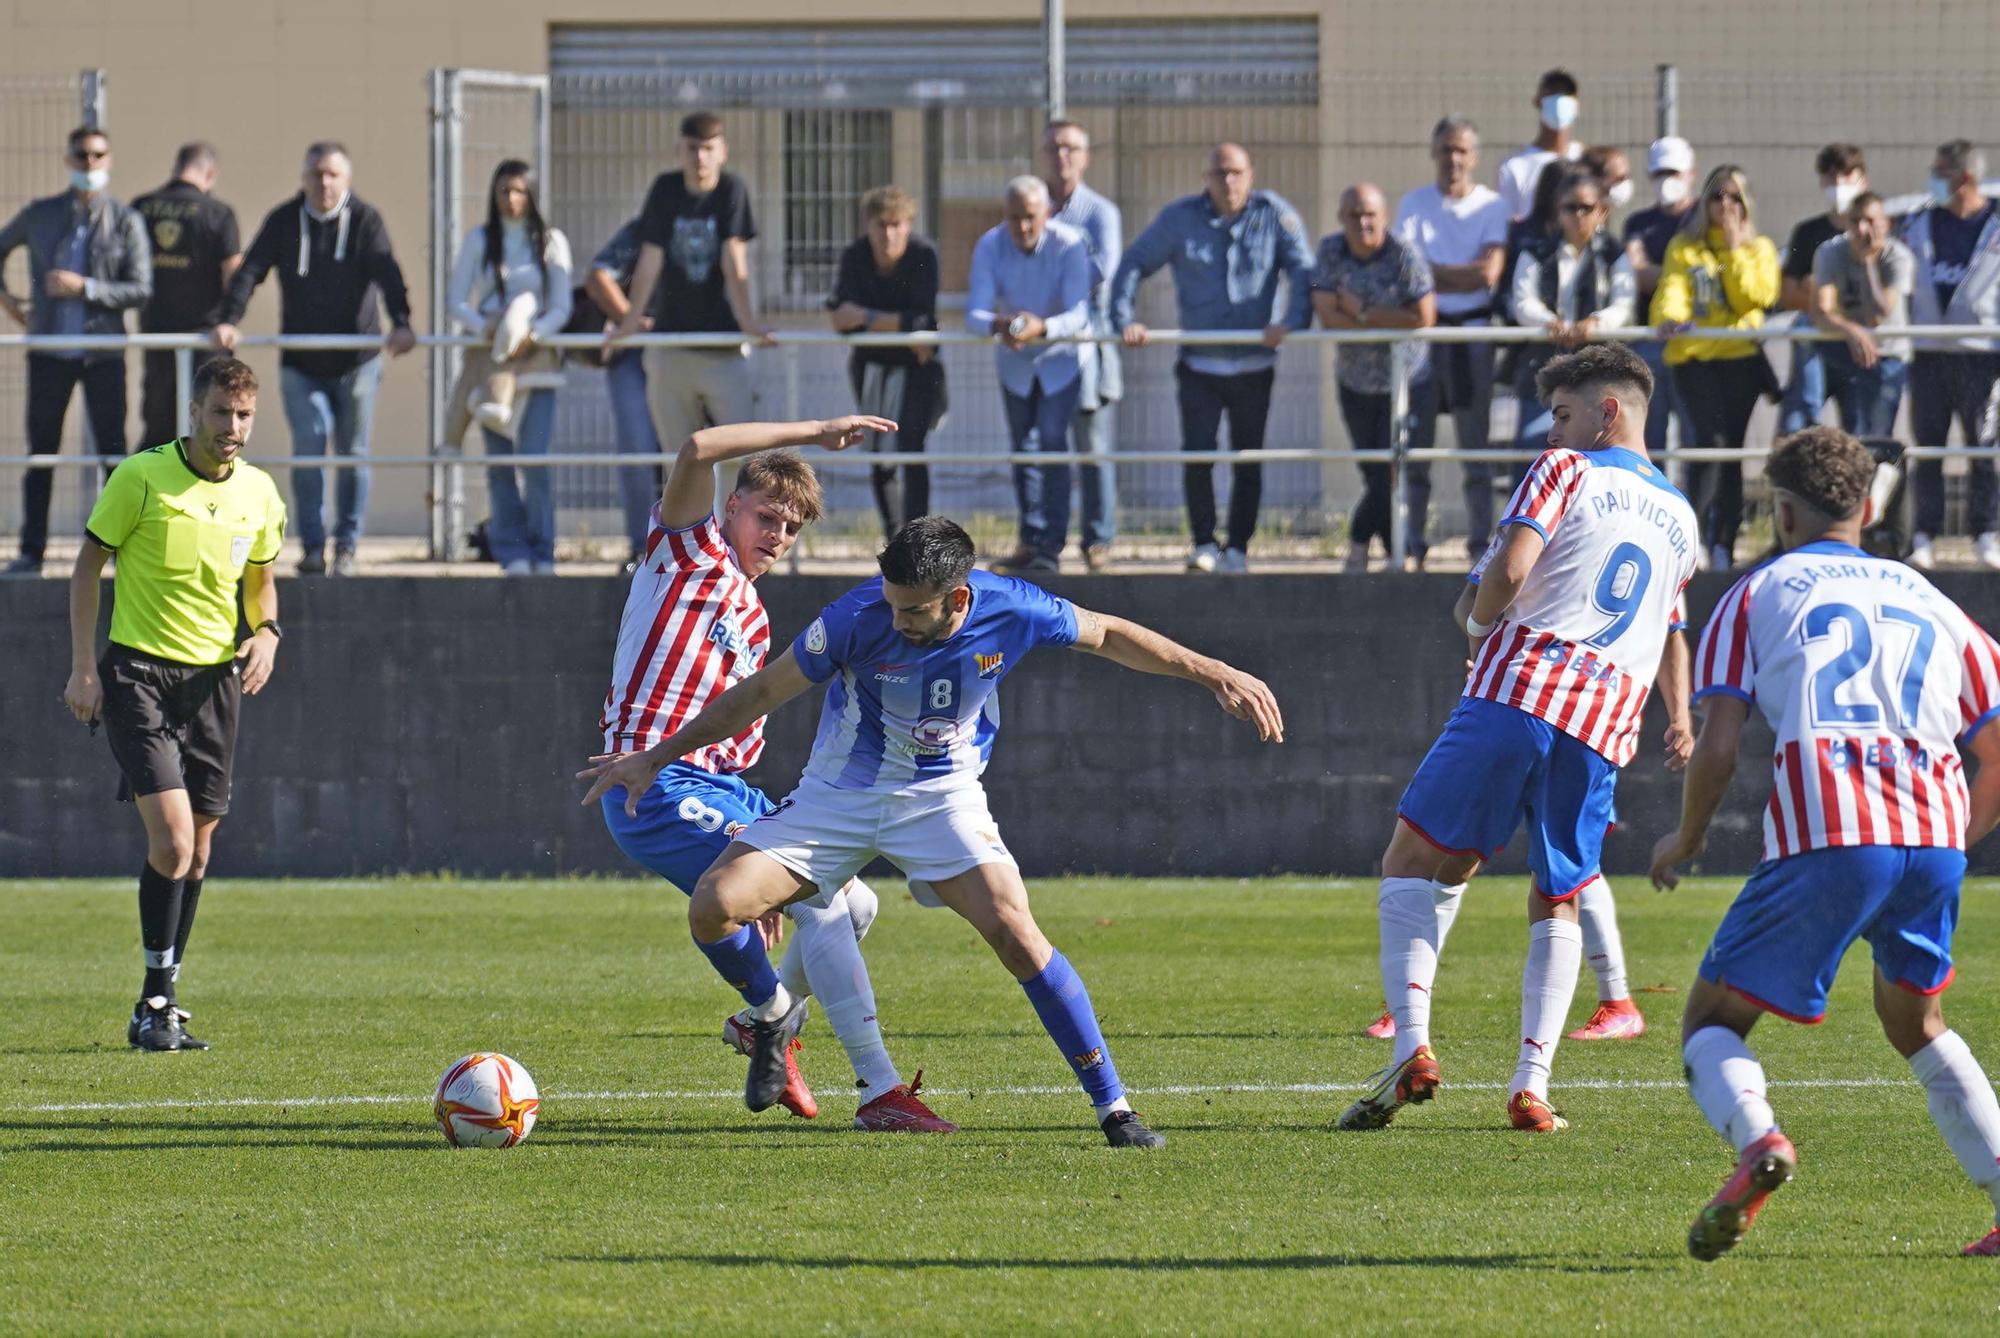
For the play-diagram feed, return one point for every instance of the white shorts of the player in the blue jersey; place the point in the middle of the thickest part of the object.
(829, 835)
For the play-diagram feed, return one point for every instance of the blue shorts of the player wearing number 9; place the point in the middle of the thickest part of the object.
(1495, 767)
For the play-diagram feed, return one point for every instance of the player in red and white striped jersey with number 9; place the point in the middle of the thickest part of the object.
(1573, 615)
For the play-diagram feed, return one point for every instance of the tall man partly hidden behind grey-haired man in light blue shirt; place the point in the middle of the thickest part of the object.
(1065, 161)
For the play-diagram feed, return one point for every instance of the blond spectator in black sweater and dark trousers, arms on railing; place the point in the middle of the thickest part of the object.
(889, 285)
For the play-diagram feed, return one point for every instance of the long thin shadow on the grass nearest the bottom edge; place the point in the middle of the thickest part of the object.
(1283, 1263)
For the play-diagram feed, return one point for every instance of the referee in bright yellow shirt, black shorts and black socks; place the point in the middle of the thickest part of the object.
(191, 523)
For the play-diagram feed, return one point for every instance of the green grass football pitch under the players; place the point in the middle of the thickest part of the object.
(293, 1181)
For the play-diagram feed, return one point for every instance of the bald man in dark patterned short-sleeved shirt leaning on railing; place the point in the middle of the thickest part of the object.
(1369, 279)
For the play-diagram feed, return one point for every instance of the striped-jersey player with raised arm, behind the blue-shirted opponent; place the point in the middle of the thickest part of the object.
(693, 627)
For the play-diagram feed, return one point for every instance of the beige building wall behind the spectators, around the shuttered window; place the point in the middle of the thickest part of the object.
(265, 79)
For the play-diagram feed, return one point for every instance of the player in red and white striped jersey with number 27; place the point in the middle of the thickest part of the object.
(1875, 685)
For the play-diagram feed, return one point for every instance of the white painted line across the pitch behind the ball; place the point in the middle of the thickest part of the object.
(1185, 1089)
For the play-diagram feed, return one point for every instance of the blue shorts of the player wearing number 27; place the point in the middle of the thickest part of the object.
(1785, 935)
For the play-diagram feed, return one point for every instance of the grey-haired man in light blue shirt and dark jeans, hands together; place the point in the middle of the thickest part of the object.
(1031, 281)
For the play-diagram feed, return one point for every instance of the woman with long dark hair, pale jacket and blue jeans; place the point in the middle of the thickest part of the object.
(515, 273)
